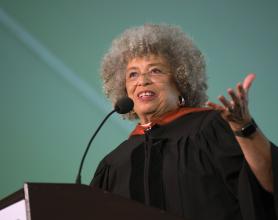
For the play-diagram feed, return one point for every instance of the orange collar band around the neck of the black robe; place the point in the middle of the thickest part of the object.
(167, 118)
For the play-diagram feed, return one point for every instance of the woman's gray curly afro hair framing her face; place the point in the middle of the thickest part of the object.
(185, 59)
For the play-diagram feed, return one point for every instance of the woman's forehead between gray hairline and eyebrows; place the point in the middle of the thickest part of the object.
(147, 60)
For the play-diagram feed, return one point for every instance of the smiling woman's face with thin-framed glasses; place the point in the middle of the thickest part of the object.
(150, 84)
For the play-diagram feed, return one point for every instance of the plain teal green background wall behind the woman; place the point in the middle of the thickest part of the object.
(50, 91)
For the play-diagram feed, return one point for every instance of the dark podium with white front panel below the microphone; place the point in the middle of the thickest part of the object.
(44, 201)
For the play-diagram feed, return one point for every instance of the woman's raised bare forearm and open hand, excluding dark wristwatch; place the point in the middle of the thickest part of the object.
(256, 147)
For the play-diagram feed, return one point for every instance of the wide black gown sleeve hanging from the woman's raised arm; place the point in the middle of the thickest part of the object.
(227, 157)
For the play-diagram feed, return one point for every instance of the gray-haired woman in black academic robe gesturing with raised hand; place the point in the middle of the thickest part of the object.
(196, 162)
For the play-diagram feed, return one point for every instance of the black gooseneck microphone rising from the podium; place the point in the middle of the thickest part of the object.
(122, 106)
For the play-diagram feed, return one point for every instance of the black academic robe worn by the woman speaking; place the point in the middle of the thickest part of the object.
(191, 167)
